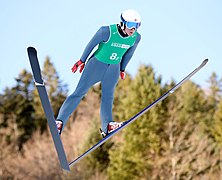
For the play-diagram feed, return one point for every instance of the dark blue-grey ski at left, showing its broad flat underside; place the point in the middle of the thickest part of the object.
(32, 54)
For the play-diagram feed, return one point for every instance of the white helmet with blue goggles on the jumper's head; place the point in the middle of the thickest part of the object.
(131, 19)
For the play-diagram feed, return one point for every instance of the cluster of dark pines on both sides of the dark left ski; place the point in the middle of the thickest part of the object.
(21, 111)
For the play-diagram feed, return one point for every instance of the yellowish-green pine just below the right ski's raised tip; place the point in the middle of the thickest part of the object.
(187, 142)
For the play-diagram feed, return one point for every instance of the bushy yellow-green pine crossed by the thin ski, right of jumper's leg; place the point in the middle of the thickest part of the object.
(132, 159)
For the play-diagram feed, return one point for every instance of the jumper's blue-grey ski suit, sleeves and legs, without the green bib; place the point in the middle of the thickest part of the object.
(97, 71)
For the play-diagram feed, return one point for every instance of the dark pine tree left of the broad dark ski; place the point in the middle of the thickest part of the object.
(18, 110)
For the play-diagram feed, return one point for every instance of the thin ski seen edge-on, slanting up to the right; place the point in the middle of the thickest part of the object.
(126, 123)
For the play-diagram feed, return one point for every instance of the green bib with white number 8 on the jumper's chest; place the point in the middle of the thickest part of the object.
(112, 51)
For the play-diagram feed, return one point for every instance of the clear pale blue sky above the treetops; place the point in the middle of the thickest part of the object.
(176, 35)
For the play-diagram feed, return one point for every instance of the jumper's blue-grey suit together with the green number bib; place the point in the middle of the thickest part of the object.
(113, 54)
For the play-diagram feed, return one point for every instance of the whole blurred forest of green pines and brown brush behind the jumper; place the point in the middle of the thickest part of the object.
(178, 139)
